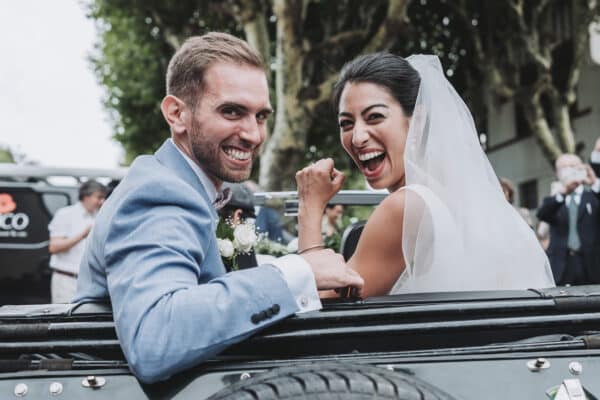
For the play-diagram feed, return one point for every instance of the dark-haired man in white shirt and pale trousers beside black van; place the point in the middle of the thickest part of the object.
(69, 228)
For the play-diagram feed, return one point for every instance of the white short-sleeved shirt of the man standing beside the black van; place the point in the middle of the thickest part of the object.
(68, 222)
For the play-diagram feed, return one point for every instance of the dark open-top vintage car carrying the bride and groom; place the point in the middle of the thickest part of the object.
(531, 344)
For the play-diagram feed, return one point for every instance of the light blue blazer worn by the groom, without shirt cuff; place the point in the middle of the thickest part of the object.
(153, 253)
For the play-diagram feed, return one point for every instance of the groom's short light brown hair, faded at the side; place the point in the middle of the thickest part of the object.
(188, 65)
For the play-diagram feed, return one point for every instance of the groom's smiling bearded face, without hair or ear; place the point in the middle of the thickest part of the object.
(228, 125)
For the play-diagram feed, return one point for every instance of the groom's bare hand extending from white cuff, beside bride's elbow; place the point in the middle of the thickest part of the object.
(331, 271)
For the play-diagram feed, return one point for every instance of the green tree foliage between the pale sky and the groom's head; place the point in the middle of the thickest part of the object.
(131, 58)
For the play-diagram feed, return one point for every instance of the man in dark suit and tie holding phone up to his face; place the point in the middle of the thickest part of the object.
(573, 214)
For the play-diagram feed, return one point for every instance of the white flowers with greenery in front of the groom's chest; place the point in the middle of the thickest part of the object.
(234, 240)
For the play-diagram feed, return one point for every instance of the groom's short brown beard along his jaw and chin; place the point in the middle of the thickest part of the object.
(207, 152)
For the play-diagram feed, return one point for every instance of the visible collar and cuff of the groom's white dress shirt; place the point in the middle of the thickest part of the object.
(295, 270)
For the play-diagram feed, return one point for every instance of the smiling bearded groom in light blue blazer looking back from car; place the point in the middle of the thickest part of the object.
(153, 249)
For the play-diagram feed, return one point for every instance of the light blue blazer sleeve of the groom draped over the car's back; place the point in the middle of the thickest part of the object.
(167, 318)
